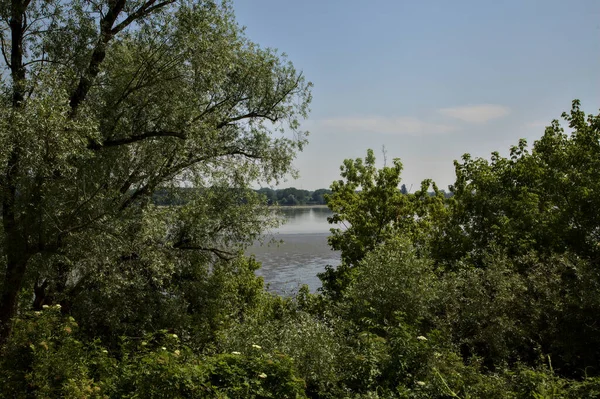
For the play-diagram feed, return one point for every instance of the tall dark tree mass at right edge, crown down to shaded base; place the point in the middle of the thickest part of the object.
(537, 209)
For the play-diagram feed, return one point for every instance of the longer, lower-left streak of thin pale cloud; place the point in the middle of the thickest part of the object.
(384, 125)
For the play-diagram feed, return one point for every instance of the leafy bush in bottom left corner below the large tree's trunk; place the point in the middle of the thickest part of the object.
(45, 358)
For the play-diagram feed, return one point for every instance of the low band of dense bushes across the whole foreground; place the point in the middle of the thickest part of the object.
(477, 333)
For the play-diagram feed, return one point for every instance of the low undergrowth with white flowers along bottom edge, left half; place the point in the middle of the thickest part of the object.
(45, 358)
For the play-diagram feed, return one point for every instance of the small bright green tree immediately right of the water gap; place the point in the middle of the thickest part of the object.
(371, 209)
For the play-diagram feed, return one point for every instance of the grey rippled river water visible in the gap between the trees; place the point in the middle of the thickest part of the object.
(303, 253)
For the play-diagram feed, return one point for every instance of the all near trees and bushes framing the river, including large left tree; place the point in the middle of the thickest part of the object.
(109, 108)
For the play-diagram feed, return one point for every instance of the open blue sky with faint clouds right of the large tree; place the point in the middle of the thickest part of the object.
(429, 80)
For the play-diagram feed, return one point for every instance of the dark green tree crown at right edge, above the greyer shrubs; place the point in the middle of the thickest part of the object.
(543, 200)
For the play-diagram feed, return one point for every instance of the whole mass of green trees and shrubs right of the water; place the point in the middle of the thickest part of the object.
(515, 250)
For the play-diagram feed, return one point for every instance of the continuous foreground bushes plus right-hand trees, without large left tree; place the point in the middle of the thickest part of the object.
(487, 294)
